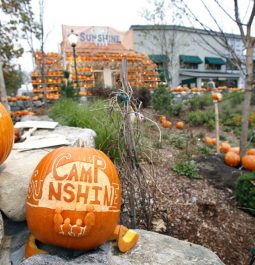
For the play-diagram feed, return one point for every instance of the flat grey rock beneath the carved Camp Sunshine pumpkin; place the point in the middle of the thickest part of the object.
(152, 249)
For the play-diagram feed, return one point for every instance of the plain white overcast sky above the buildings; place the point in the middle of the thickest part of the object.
(119, 14)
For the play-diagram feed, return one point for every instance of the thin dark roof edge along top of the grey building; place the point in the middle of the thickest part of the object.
(181, 28)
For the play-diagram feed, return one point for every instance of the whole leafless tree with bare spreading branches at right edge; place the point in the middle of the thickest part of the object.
(244, 23)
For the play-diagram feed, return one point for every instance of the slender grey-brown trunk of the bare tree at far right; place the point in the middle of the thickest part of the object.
(247, 98)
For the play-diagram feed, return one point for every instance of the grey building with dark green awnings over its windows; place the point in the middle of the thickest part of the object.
(187, 56)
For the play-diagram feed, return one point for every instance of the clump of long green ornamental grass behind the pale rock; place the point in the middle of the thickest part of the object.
(90, 115)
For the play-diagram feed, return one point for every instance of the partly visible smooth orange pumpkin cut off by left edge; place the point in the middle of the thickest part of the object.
(6, 133)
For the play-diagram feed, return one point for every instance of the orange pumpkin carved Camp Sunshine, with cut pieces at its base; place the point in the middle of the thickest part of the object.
(73, 201)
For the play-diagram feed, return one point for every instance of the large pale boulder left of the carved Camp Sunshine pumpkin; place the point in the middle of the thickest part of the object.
(15, 174)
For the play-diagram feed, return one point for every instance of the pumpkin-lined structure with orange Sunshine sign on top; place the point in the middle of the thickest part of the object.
(99, 54)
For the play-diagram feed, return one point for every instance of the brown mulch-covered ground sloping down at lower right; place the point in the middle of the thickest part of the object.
(204, 211)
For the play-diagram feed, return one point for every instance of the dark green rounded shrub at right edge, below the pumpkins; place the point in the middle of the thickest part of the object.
(245, 191)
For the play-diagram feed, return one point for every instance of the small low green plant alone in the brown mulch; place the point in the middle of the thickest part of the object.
(188, 169)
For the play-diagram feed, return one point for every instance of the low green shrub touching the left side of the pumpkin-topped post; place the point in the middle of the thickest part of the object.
(200, 118)
